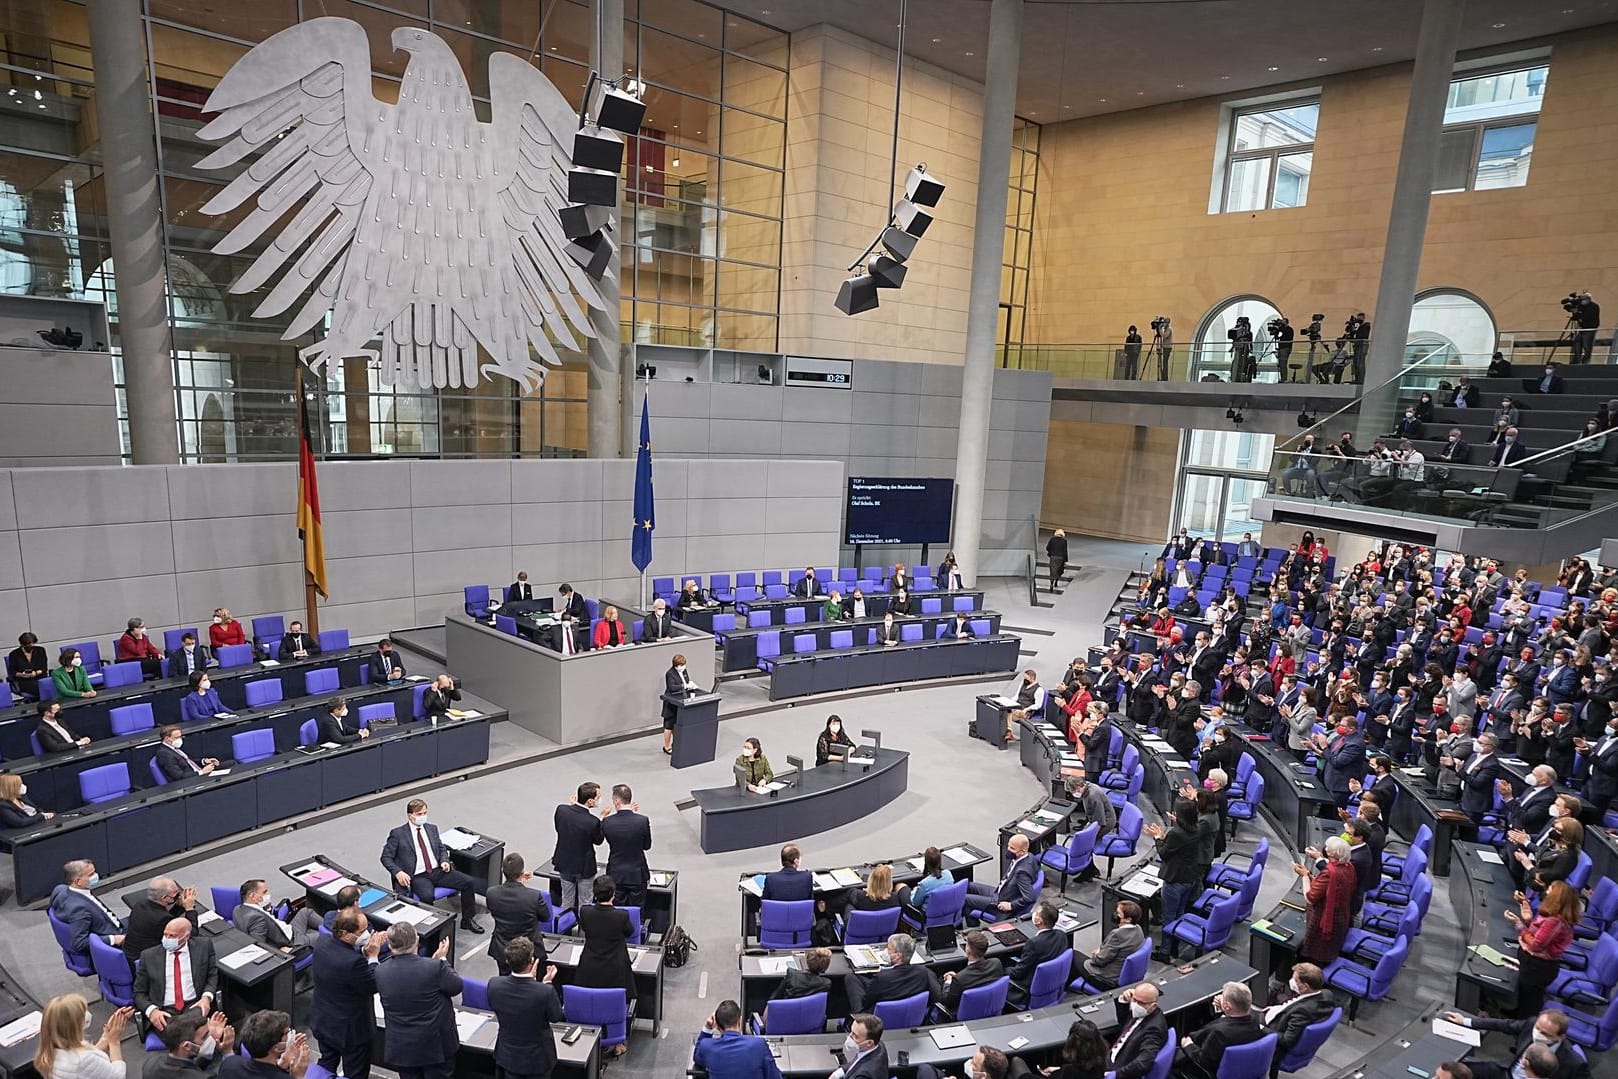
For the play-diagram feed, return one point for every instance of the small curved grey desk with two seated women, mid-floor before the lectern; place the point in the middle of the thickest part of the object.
(818, 800)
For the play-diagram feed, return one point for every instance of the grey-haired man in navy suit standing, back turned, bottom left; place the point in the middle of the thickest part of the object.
(418, 1007)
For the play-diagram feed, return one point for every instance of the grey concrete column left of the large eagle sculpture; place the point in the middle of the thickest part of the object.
(135, 226)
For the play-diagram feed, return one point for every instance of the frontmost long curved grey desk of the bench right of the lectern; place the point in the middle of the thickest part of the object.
(883, 666)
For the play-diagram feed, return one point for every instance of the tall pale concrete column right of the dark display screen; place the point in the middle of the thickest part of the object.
(983, 305)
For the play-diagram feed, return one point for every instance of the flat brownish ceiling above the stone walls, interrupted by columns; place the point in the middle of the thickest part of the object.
(1091, 57)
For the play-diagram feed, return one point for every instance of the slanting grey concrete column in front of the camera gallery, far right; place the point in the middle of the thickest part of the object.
(1391, 323)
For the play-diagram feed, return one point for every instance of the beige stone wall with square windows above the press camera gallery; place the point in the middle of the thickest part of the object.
(1124, 229)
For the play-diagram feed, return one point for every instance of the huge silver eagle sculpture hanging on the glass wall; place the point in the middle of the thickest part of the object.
(415, 224)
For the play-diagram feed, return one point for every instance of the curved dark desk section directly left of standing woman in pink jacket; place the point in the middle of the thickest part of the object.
(1483, 892)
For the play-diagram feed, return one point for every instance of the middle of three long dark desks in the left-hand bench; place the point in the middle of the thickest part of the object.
(54, 781)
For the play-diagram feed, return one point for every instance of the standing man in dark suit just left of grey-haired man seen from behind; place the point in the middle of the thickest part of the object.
(341, 1012)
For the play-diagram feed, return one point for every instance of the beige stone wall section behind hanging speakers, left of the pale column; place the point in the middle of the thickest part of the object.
(839, 150)
